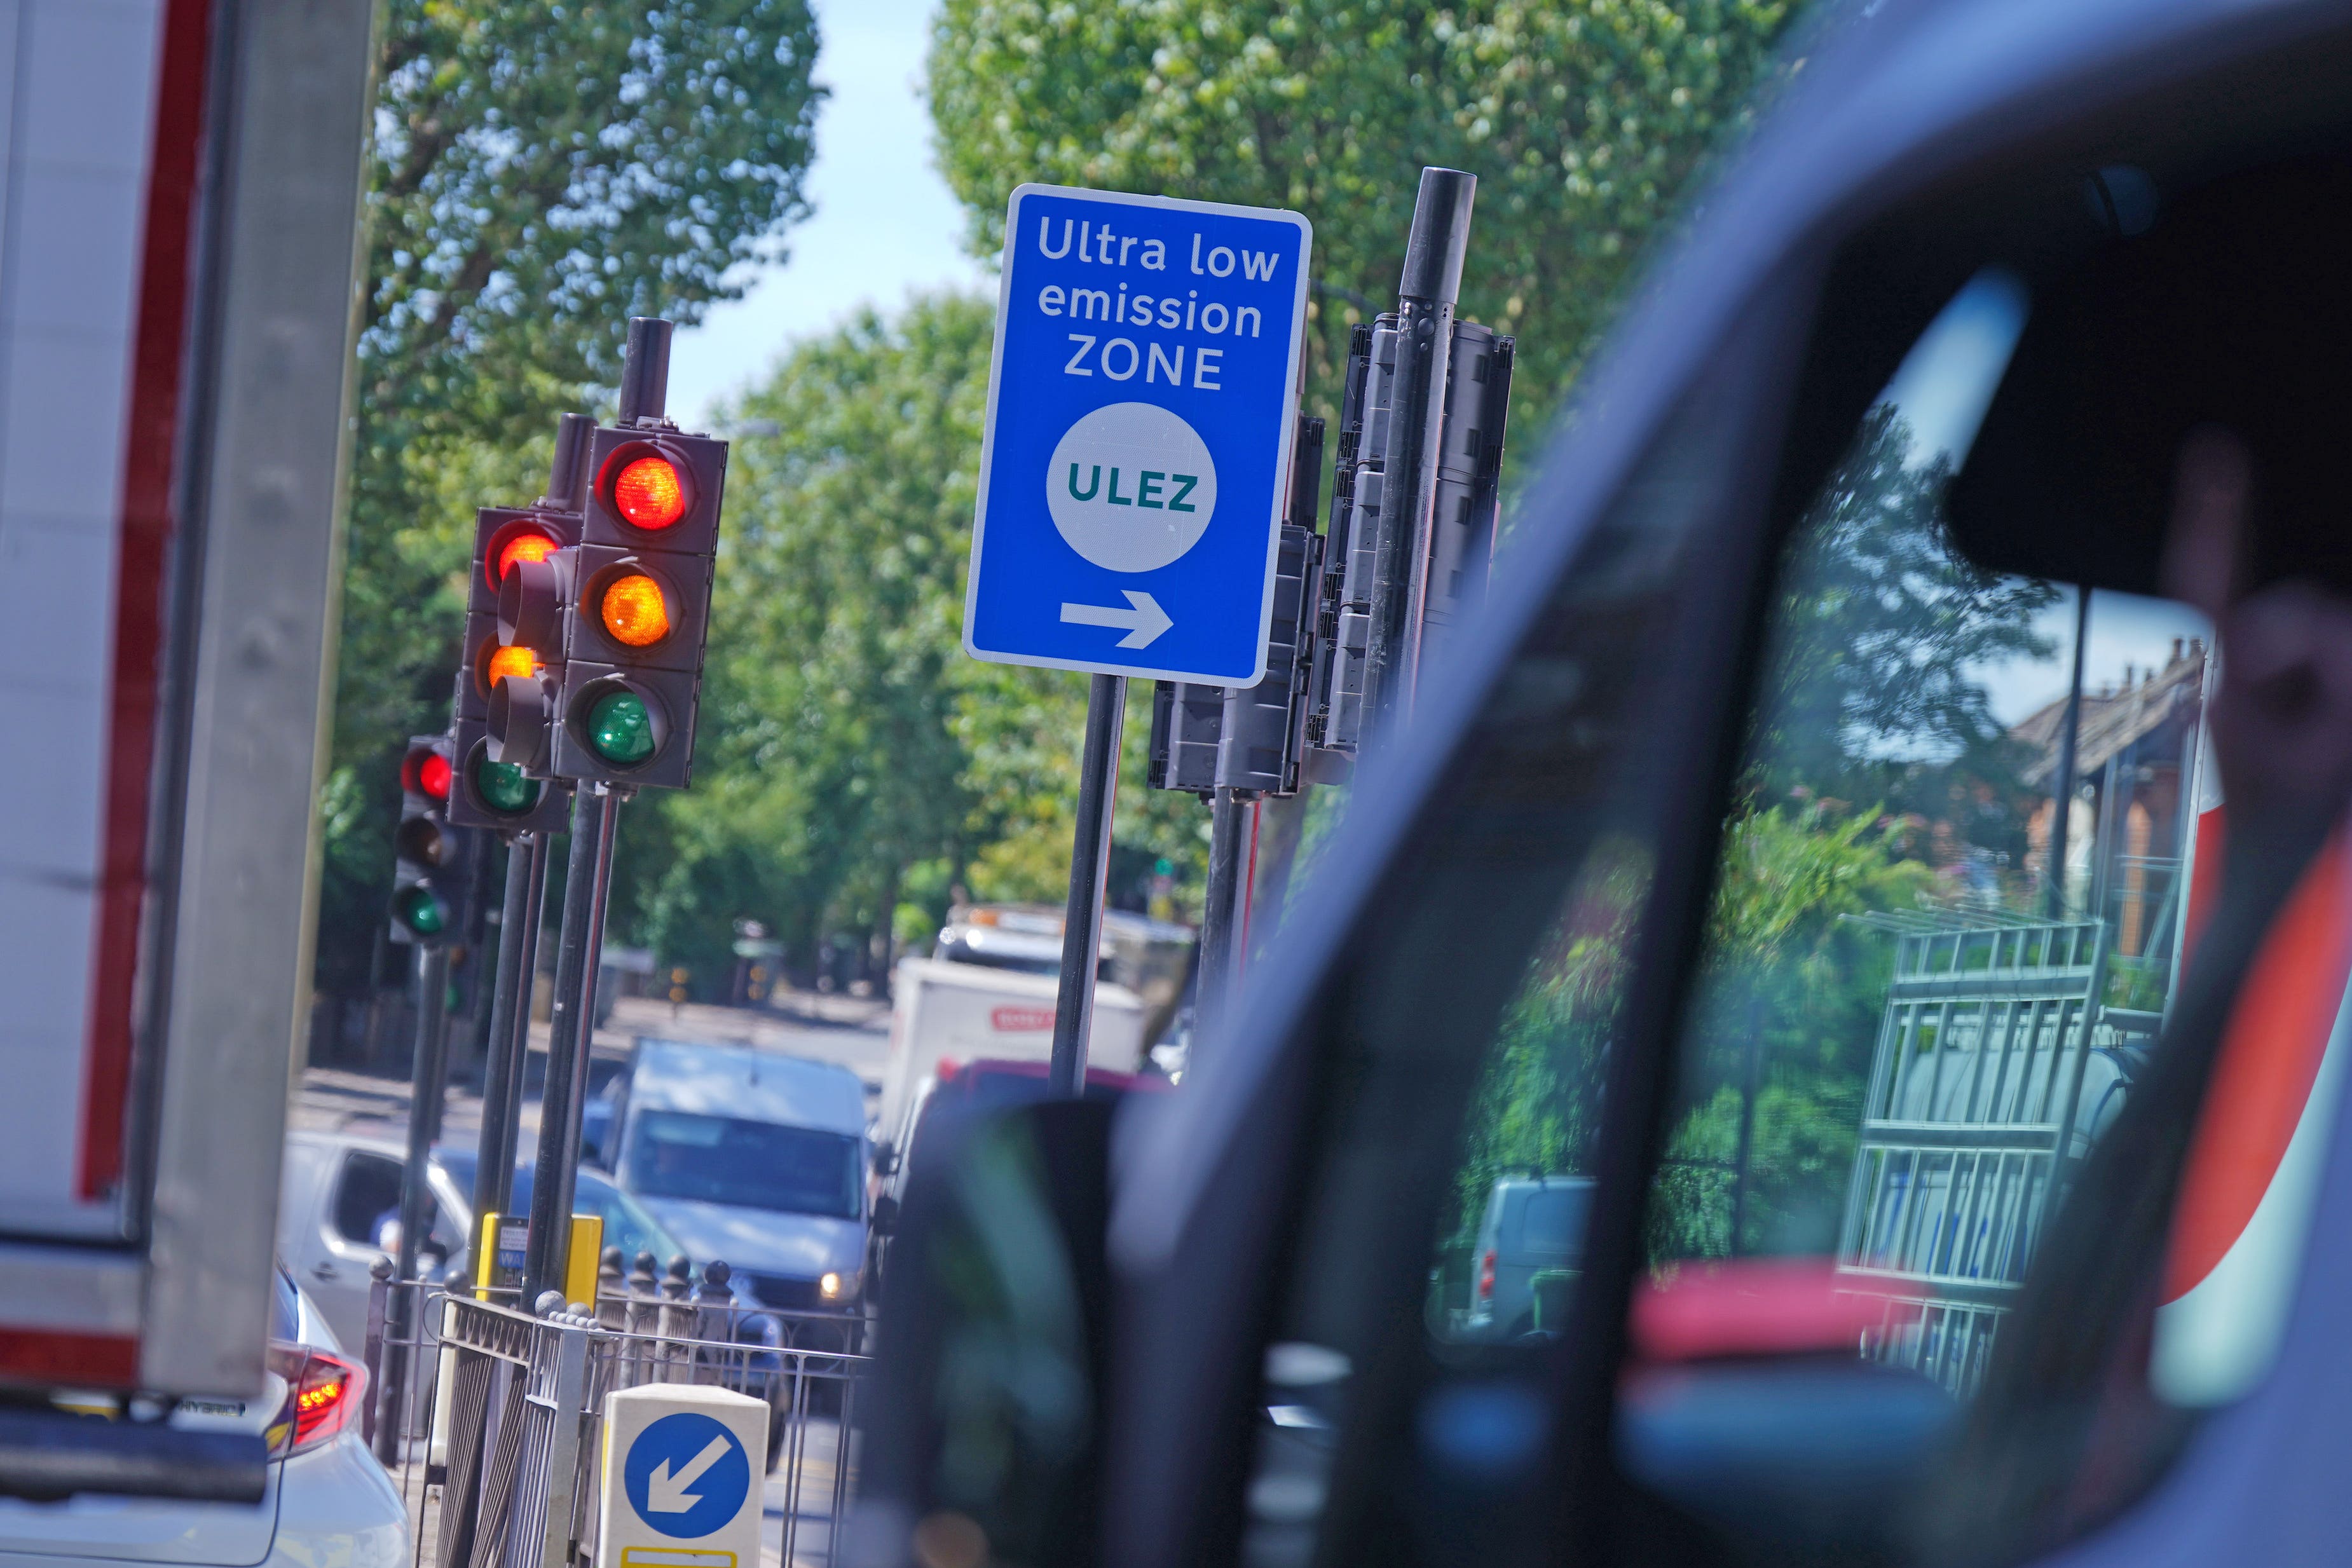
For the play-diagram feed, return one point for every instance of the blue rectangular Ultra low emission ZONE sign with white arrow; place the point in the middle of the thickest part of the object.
(1140, 431)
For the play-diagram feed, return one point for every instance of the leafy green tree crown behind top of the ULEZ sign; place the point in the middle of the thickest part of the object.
(1582, 121)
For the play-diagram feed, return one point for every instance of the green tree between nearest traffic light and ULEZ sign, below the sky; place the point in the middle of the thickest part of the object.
(855, 763)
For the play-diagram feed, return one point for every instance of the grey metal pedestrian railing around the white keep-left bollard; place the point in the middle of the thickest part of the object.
(500, 1412)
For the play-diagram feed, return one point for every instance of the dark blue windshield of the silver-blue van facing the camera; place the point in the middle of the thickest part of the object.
(754, 1165)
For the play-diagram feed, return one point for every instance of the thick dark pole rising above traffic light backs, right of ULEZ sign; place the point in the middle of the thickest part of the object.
(1426, 293)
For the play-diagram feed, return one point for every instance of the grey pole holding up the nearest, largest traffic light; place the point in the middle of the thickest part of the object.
(570, 1033)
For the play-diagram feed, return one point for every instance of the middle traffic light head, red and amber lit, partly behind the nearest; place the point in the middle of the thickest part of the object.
(505, 784)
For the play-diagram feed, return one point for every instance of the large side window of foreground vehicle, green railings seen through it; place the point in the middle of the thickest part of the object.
(1951, 906)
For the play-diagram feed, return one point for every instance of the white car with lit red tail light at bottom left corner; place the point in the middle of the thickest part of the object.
(328, 1501)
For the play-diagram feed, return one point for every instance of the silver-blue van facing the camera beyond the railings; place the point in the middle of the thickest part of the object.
(751, 1158)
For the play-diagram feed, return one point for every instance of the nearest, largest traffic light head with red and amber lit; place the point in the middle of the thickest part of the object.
(636, 610)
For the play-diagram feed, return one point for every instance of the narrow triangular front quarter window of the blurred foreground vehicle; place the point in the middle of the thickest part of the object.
(1476, 1031)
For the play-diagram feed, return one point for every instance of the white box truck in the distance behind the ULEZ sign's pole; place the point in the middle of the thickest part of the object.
(973, 1014)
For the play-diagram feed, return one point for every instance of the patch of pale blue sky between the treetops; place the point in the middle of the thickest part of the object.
(886, 222)
